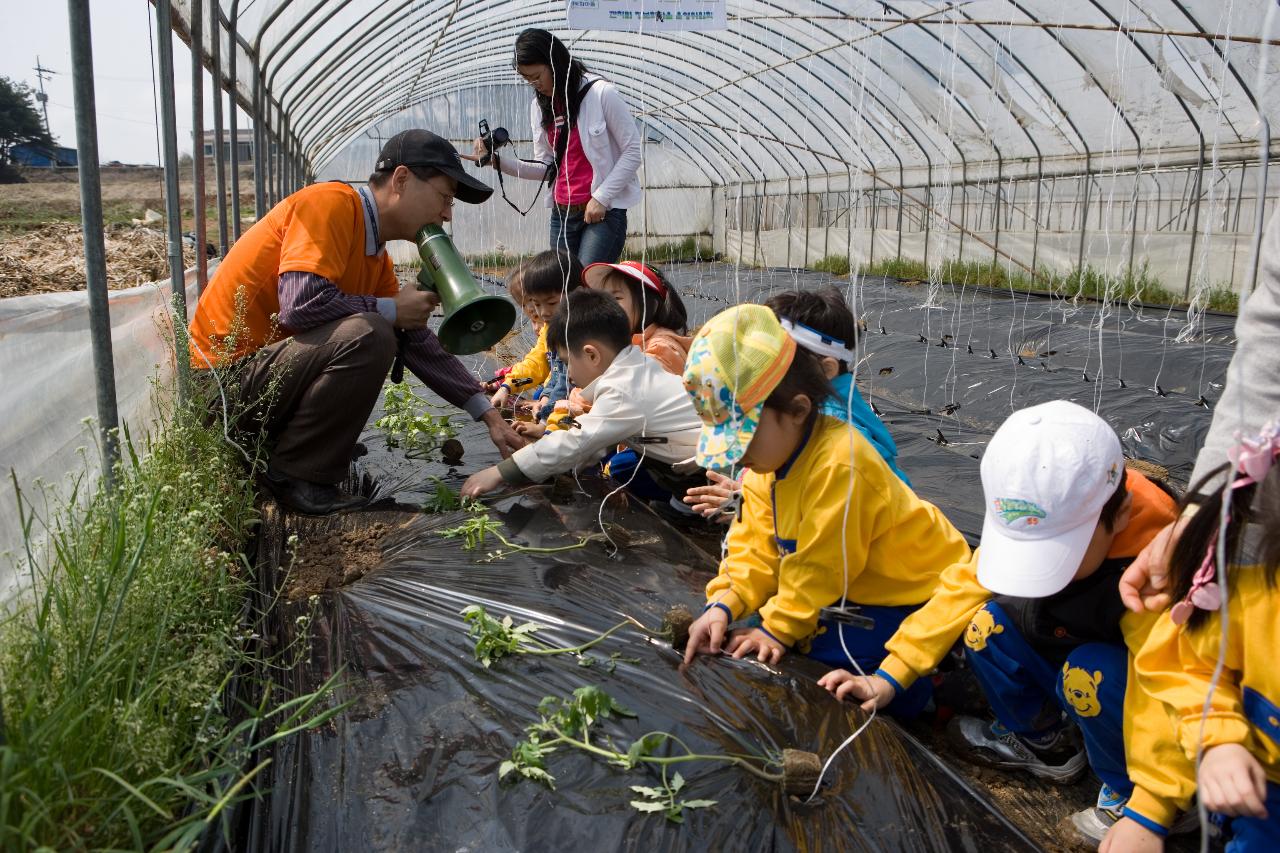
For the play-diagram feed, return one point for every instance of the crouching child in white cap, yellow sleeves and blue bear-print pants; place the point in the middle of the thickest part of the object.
(1049, 641)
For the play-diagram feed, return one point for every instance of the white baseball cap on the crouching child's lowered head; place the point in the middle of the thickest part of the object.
(1046, 476)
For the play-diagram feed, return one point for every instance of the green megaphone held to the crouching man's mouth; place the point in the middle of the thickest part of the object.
(474, 321)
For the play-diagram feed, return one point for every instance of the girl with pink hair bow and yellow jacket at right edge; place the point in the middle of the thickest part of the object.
(1236, 738)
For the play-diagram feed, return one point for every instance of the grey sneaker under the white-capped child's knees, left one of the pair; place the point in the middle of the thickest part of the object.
(1055, 756)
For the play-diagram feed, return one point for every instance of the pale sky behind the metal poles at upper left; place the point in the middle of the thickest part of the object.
(122, 75)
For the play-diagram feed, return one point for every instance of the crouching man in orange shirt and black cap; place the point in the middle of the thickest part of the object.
(308, 307)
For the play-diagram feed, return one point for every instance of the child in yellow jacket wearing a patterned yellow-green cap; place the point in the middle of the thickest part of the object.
(825, 523)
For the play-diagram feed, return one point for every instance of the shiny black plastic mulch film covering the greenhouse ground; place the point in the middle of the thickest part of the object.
(414, 763)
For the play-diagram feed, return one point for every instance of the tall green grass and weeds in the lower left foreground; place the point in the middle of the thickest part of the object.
(116, 664)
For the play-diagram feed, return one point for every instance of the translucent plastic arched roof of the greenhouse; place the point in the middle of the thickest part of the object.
(953, 79)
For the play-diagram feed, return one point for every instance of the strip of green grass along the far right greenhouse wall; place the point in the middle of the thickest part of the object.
(1089, 282)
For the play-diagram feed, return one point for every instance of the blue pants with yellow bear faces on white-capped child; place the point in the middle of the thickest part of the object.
(1027, 692)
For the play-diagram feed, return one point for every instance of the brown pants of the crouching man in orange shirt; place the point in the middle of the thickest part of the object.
(313, 394)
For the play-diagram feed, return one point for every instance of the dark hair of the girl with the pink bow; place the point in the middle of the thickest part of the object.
(1258, 504)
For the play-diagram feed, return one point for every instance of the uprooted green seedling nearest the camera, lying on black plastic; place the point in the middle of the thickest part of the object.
(569, 723)
